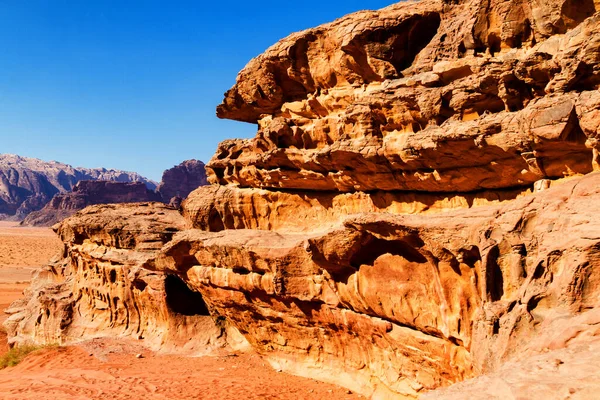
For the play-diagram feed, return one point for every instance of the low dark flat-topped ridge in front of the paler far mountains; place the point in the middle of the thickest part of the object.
(87, 193)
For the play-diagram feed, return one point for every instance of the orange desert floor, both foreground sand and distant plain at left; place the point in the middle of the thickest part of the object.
(110, 369)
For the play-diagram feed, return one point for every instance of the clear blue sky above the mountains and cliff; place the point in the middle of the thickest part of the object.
(133, 84)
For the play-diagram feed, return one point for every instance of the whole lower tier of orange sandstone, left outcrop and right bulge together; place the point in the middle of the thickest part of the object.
(387, 305)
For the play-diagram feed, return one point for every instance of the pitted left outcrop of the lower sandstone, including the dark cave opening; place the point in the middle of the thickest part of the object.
(103, 286)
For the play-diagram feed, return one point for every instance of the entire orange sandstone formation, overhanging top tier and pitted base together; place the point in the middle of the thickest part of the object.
(418, 208)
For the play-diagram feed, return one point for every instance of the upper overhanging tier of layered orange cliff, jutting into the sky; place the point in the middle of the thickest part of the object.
(432, 96)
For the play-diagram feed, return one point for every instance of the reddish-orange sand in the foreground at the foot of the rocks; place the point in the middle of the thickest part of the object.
(110, 370)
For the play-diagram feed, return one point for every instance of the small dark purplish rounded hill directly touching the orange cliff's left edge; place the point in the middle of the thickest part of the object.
(178, 182)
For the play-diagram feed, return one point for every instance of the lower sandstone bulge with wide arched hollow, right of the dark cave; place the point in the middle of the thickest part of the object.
(414, 301)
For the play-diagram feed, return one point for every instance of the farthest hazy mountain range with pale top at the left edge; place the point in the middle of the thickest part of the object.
(28, 184)
